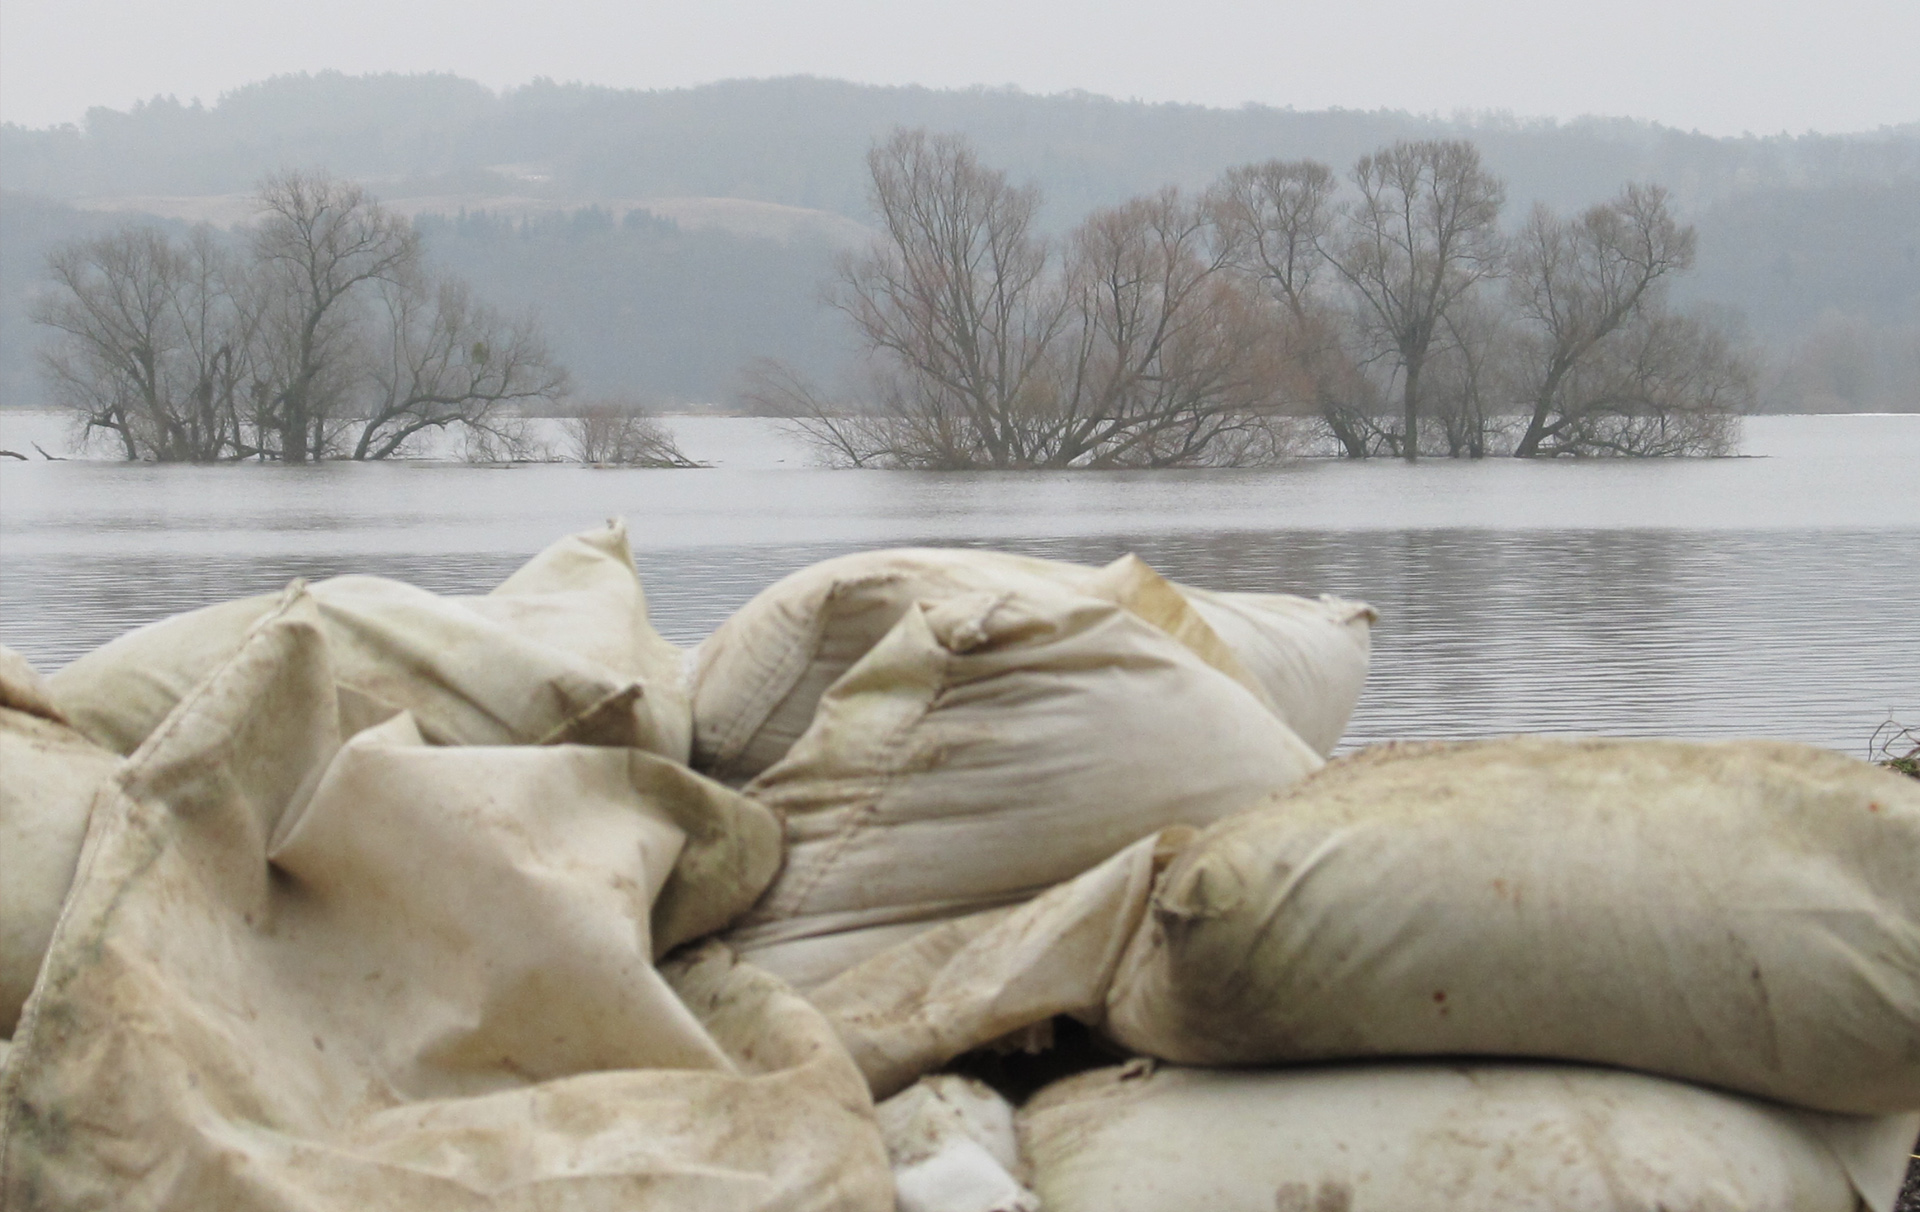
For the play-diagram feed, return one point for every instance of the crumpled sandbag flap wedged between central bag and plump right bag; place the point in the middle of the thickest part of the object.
(990, 975)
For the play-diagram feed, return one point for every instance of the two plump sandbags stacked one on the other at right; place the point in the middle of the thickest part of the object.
(1731, 931)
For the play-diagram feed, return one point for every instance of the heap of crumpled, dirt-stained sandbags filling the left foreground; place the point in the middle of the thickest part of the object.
(343, 936)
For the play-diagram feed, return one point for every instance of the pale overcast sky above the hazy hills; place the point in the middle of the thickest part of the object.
(1719, 66)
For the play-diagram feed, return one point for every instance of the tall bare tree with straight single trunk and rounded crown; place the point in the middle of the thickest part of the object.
(1418, 241)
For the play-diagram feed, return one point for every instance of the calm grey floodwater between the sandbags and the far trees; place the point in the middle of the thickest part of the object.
(1775, 594)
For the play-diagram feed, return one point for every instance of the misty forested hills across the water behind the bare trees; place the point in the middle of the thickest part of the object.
(1813, 239)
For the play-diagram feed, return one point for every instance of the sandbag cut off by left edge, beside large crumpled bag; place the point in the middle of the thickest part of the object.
(49, 777)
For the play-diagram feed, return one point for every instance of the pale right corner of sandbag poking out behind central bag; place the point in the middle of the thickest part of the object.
(1308, 654)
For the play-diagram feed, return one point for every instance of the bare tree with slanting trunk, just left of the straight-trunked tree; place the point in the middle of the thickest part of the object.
(1278, 220)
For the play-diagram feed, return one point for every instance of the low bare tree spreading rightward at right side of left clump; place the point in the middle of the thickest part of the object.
(446, 360)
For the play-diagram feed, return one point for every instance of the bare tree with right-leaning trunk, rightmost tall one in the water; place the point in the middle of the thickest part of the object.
(1581, 283)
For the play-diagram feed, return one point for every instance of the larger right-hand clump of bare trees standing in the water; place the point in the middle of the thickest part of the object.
(1391, 308)
